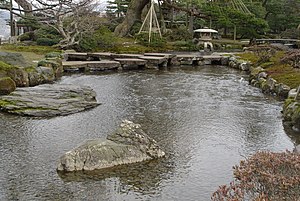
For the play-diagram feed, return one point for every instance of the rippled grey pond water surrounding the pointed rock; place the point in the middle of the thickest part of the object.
(205, 118)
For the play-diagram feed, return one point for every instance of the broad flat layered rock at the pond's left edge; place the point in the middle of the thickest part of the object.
(48, 100)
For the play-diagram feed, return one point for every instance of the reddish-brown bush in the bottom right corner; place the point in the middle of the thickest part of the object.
(264, 176)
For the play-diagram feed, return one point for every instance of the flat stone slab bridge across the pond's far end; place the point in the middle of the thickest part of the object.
(101, 61)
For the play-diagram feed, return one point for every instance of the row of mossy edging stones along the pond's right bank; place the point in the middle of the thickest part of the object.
(259, 78)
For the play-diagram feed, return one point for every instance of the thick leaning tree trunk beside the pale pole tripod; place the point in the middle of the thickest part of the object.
(133, 14)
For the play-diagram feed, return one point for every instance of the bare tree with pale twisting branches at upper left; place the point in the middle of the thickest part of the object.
(72, 19)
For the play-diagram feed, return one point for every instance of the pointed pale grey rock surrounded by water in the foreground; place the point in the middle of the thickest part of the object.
(128, 144)
